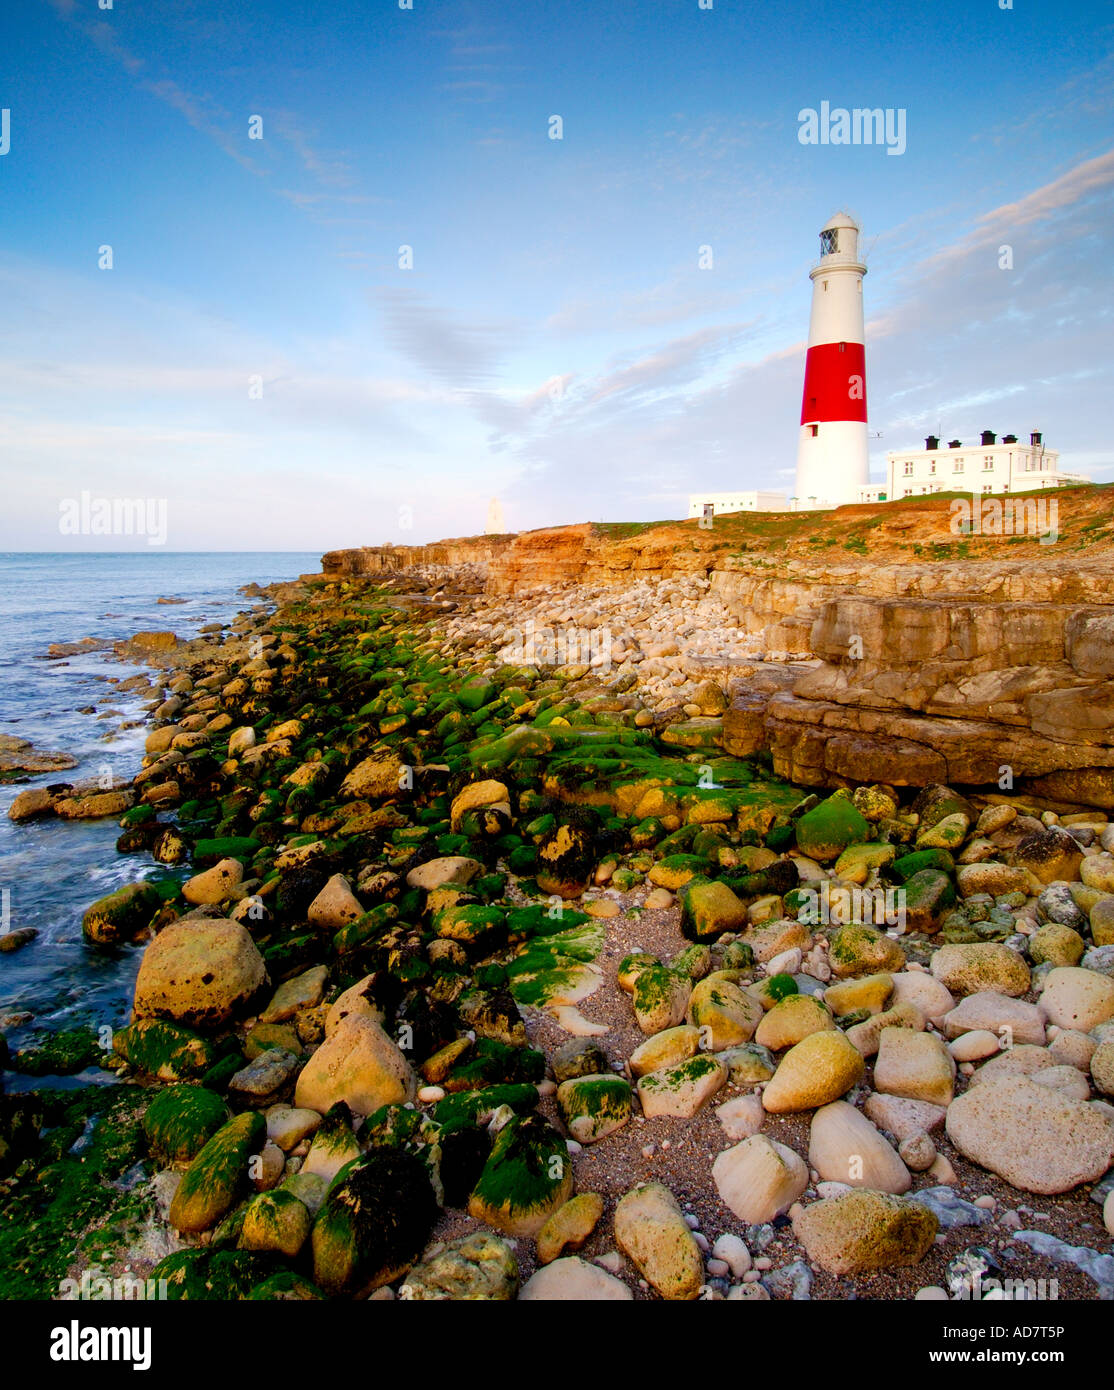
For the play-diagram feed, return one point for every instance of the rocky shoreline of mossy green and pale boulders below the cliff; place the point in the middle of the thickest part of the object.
(479, 965)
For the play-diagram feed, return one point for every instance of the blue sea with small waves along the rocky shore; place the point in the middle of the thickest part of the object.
(51, 871)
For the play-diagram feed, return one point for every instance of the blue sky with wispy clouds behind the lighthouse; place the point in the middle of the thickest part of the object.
(408, 298)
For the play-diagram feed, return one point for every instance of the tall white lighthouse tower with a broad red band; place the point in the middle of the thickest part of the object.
(832, 451)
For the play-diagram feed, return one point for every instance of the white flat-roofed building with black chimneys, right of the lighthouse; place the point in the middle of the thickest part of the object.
(988, 466)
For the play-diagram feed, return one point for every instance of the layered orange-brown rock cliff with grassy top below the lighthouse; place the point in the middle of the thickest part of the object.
(983, 661)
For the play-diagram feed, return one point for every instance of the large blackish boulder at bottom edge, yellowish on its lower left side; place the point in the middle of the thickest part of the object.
(373, 1225)
